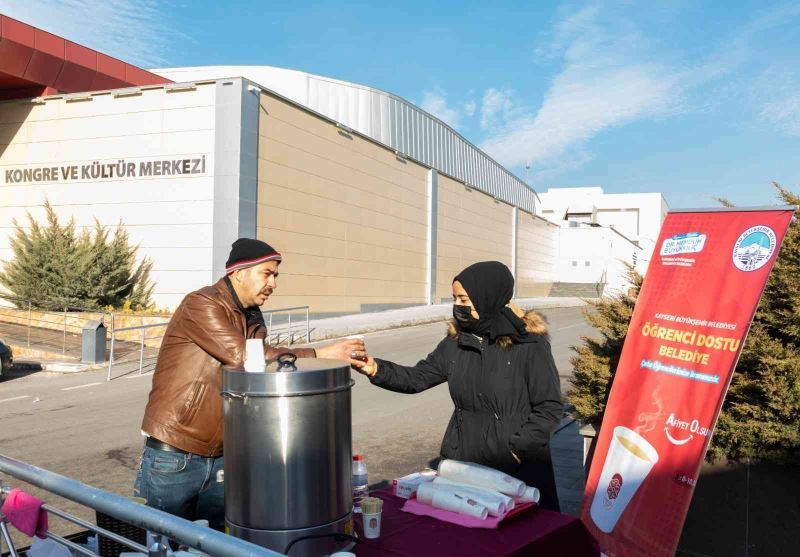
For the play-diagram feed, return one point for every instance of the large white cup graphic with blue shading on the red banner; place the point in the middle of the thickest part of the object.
(628, 462)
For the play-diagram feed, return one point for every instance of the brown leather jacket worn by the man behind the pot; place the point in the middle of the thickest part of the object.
(207, 331)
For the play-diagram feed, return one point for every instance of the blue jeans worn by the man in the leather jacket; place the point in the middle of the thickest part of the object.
(182, 484)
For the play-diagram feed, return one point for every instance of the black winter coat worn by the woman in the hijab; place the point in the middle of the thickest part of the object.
(506, 399)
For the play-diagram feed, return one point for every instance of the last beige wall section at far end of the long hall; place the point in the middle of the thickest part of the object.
(537, 253)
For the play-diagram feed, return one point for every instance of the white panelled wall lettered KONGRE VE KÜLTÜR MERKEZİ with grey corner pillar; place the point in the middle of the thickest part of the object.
(165, 162)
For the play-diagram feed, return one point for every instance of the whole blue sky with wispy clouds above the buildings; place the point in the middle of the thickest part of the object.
(689, 98)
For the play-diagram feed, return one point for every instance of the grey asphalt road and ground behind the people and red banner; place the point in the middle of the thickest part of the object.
(83, 427)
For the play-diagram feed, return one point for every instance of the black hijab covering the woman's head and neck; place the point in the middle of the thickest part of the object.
(490, 286)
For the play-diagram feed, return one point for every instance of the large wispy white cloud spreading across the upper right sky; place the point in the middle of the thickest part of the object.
(612, 74)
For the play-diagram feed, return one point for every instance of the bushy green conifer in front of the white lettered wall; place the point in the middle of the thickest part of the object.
(54, 265)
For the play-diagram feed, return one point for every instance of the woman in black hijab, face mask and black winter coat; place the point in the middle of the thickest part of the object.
(502, 379)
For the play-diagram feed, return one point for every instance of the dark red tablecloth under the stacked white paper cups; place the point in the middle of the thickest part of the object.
(537, 532)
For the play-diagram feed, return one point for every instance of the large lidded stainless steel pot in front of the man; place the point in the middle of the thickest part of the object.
(288, 454)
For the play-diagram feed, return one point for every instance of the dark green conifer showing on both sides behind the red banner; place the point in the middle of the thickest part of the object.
(760, 417)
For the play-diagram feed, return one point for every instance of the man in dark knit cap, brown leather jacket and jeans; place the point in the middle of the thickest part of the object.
(182, 458)
